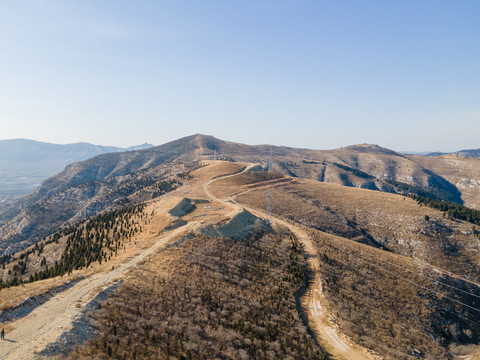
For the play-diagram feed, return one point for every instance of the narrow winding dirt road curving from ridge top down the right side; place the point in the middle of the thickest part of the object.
(337, 345)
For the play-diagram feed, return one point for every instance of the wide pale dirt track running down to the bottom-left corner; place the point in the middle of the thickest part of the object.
(47, 322)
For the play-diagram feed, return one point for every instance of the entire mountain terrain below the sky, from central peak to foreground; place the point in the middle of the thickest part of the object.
(203, 248)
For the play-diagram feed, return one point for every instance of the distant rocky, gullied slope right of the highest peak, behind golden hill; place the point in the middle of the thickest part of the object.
(364, 166)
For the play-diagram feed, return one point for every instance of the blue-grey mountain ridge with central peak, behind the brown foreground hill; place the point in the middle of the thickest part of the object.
(107, 180)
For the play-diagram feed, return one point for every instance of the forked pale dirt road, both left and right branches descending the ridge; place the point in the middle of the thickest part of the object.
(44, 325)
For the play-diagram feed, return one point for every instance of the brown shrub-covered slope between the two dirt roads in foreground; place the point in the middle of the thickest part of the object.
(225, 300)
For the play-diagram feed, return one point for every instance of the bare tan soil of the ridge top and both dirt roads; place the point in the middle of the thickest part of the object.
(49, 330)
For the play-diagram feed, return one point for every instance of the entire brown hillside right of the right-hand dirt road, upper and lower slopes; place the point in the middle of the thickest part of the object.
(380, 299)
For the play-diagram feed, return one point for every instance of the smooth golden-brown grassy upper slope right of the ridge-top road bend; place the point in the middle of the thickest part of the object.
(380, 219)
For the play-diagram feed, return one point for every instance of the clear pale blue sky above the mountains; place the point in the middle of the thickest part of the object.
(305, 73)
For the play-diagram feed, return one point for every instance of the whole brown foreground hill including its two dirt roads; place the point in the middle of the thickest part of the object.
(396, 282)
